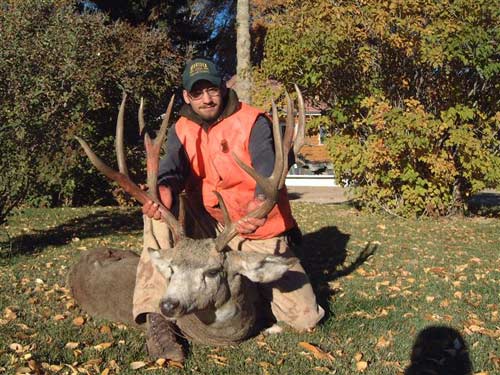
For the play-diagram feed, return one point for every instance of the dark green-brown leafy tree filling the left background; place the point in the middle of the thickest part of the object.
(62, 74)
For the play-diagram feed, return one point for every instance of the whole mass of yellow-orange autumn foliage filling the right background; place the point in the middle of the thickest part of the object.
(412, 89)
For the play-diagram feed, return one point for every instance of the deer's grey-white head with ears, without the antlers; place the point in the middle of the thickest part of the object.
(201, 278)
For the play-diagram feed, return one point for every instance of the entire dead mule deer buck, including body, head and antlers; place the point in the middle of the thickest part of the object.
(211, 292)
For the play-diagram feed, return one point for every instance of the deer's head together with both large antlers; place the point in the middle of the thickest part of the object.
(202, 274)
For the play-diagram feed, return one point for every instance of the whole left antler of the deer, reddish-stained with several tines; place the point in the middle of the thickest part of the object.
(152, 151)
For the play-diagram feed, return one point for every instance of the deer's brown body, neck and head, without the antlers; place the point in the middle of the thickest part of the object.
(210, 295)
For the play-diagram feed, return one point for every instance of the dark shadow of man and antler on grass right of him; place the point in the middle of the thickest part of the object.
(323, 255)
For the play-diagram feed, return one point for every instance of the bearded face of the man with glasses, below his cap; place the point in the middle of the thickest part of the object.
(205, 99)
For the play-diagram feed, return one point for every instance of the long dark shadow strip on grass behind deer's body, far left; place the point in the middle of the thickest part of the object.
(95, 225)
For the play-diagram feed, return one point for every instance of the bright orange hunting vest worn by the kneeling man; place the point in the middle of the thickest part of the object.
(214, 169)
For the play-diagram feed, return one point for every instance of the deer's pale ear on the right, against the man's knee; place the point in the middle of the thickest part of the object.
(260, 268)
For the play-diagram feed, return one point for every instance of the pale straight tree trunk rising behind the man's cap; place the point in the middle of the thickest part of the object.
(243, 67)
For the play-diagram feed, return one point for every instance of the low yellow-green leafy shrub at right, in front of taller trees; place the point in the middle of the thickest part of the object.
(410, 162)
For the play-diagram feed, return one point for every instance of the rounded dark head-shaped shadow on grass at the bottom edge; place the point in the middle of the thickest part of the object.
(439, 350)
